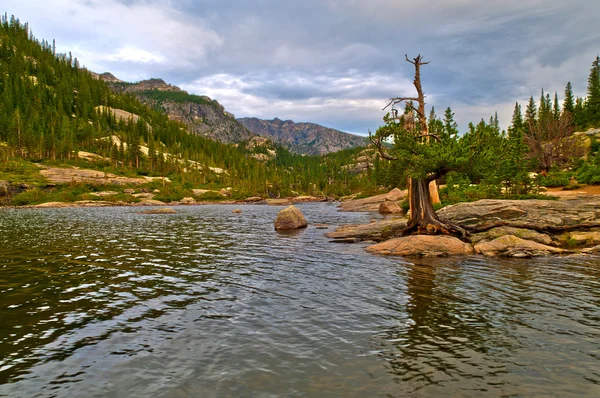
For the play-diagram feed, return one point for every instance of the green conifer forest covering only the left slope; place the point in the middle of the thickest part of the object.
(52, 108)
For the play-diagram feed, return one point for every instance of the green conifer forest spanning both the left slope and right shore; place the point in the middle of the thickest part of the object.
(52, 108)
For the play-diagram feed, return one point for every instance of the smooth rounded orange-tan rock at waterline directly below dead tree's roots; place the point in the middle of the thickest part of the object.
(422, 246)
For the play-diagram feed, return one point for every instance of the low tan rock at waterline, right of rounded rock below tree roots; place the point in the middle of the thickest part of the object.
(511, 246)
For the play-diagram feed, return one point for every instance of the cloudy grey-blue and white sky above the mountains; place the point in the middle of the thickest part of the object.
(333, 62)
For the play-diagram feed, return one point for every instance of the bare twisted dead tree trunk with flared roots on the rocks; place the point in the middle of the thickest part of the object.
(422, 217)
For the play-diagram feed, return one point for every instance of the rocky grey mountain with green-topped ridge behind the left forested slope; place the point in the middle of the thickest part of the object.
(201, 114)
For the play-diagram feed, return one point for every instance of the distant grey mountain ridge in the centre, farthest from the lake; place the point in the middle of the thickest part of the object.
(303, 138)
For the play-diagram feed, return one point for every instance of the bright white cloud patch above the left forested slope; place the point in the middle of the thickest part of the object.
(108, 33)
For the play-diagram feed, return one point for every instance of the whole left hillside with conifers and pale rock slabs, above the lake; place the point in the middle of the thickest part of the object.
(56, 115)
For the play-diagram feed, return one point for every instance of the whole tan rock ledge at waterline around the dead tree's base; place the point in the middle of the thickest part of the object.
(505, 241)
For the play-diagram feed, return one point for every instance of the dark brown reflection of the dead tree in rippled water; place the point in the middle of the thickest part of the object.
(442, 332)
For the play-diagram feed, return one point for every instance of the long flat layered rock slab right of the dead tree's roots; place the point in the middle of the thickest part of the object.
(550, 212)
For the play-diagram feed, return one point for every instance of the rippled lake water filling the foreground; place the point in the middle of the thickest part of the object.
(106, 302)
